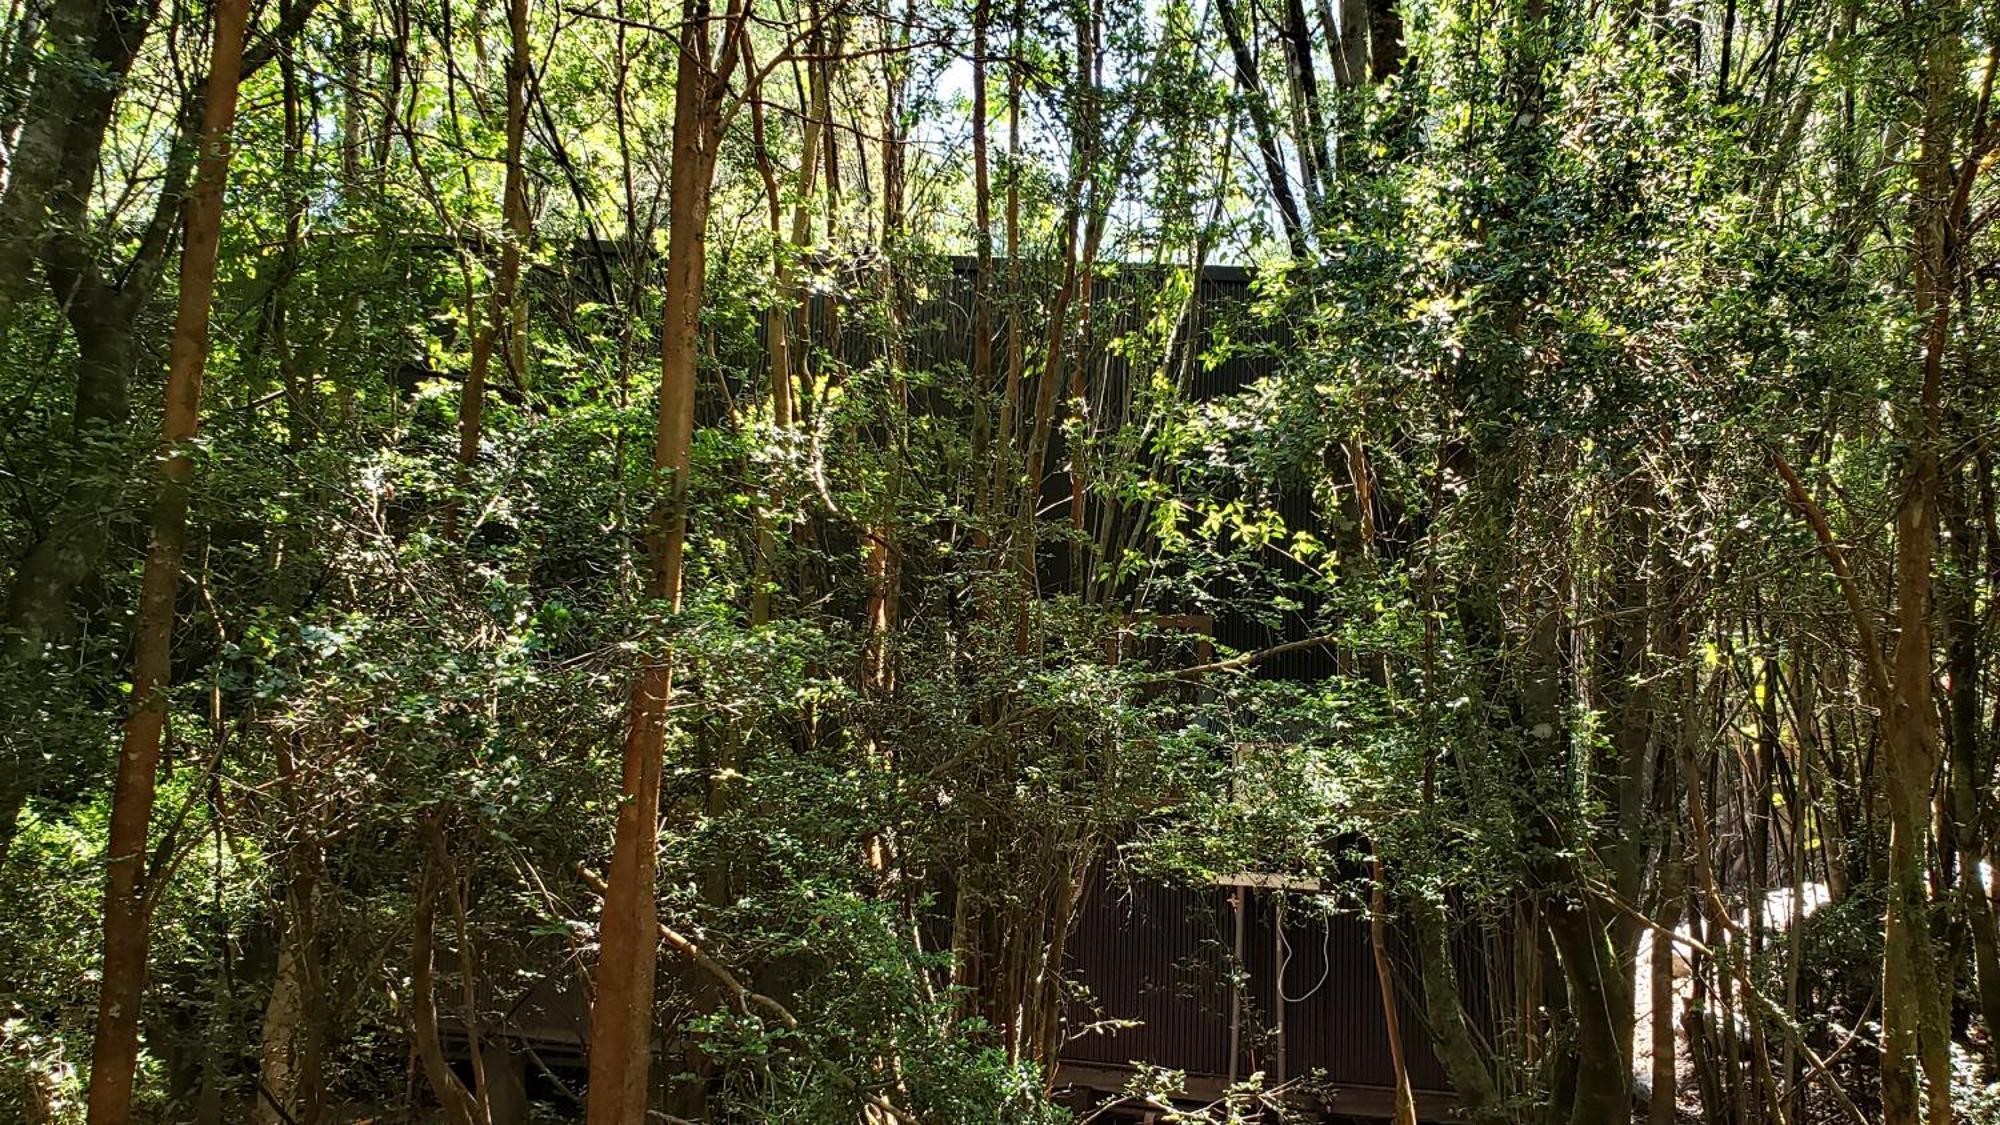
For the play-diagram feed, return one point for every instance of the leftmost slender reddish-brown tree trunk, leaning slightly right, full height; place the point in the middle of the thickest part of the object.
(127, 898)
